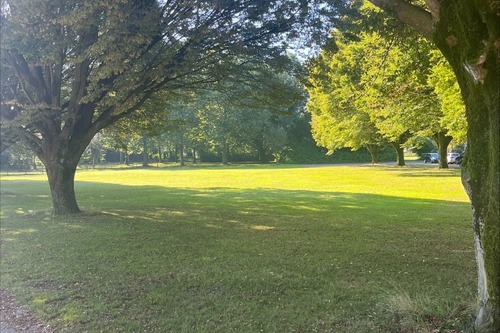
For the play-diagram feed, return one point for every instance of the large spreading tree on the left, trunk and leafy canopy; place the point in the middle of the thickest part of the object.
(71, 68)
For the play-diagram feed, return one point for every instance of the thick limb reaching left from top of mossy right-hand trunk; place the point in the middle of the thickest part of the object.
(414, 16)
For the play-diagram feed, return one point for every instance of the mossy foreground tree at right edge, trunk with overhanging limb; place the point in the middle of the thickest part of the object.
(468, 34)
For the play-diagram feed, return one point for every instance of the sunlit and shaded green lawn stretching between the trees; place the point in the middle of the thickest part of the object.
(244, 249)
